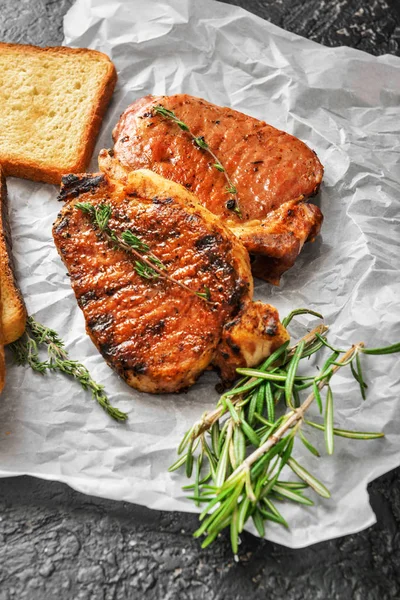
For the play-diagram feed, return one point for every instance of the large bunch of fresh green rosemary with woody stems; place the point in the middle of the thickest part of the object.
(241, 448)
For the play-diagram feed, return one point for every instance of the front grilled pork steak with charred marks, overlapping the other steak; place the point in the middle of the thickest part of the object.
(158, 336)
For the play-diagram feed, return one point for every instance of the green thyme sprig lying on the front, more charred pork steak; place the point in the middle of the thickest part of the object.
(147, 265)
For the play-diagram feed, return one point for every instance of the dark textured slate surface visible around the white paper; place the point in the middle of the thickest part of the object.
(55, 542)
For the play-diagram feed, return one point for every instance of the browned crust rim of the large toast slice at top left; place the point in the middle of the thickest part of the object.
(28, 169)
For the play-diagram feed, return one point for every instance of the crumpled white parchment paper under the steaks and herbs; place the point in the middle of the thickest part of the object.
(345, 105)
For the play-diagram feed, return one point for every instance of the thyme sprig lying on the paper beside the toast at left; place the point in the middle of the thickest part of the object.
(26, 352)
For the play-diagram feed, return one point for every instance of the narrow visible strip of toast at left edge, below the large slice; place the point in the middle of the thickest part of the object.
(13, 312)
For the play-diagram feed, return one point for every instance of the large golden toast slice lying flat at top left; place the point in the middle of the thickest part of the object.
(52, 104)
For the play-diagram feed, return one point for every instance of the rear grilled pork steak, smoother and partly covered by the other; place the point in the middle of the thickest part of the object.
(273, 172)
